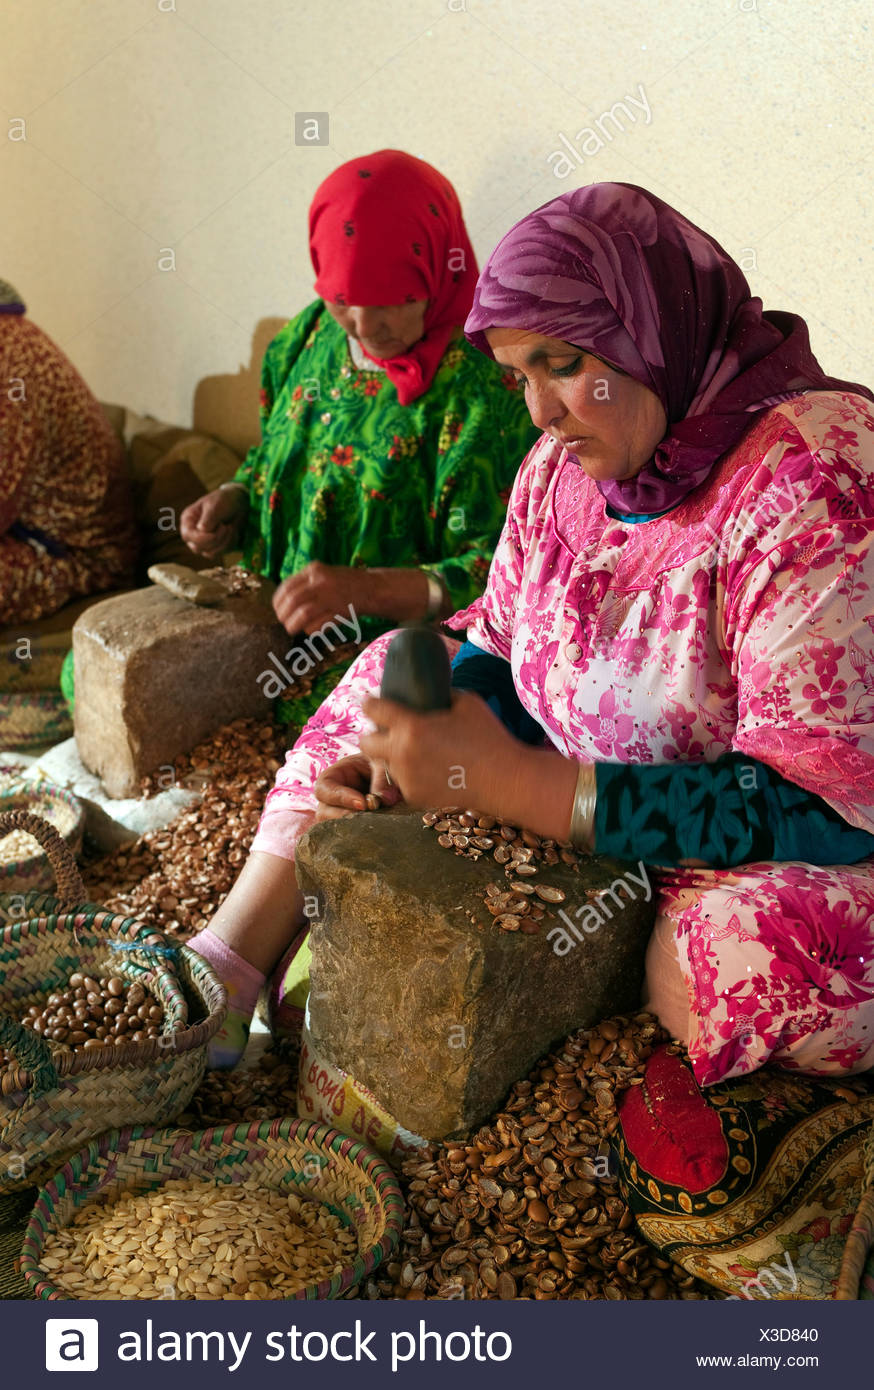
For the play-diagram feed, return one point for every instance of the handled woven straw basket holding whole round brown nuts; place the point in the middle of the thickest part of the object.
(55, 1103)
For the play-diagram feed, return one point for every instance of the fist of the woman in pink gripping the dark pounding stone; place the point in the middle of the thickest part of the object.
(458, 757)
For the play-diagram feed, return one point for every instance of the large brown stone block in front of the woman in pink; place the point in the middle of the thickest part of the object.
(416, 992)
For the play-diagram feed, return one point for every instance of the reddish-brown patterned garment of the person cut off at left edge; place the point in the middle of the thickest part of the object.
(66, 514)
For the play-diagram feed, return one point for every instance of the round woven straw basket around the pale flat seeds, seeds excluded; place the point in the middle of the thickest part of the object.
(284, 1156)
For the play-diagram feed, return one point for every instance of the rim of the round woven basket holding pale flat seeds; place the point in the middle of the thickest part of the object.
(116, 1145)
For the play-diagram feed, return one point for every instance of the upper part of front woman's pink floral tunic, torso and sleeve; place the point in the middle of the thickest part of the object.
(739, 621)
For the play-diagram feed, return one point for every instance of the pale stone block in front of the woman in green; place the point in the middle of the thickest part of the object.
(156, 673)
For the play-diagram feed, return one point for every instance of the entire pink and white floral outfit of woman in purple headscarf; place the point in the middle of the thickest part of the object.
(743, 621)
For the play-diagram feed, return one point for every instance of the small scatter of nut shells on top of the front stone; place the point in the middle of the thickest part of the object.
(518, 904)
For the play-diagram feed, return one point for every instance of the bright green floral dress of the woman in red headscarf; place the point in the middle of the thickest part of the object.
(348, 476)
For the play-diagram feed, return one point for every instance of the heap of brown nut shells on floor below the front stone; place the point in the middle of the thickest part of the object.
(530, 1207)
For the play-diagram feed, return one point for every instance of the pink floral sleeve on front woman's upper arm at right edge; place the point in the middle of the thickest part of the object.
(801, 637)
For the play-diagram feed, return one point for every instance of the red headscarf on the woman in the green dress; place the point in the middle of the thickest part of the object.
(387, 229)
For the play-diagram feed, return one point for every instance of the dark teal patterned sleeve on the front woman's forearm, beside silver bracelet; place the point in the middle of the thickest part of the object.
(730, 812)
